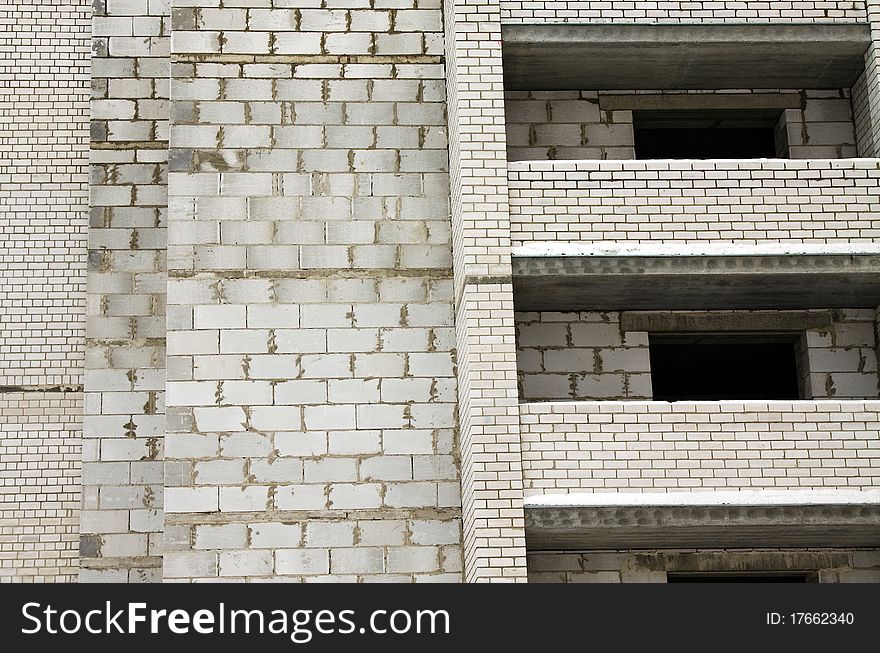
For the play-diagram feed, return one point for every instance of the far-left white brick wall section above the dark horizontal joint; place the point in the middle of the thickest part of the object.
(44, 53)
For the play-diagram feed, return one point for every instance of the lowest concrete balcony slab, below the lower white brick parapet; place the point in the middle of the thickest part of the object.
(715, 526)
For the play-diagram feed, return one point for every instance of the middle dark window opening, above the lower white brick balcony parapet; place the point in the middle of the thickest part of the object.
(712, 367)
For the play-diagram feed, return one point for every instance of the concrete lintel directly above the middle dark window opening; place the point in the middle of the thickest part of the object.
(659, 322)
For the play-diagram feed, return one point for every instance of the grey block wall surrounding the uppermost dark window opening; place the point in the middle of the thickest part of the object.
(562, 125)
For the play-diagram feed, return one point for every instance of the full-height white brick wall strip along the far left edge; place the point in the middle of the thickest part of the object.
(44, 52)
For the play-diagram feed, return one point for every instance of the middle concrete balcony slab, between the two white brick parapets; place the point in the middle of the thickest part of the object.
(620, 283)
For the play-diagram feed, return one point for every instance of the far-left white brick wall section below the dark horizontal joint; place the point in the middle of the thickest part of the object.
(40, 491)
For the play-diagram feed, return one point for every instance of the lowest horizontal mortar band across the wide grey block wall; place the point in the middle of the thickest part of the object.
(194, 518)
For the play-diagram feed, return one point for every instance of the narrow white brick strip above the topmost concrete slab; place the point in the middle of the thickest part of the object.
(682, 11)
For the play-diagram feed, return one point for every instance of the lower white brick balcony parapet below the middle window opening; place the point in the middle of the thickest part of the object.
(659, 446)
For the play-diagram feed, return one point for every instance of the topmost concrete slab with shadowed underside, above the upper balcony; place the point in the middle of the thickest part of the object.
(632, 57)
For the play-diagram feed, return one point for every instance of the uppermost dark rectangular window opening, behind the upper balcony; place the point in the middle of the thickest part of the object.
(706, 135)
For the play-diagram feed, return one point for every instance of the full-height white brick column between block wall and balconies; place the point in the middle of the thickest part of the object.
(491, 460)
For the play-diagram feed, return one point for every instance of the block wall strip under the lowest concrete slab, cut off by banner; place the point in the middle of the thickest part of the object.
(653, 565)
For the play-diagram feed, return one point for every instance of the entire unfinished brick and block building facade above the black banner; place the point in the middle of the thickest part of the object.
(423, 291)
